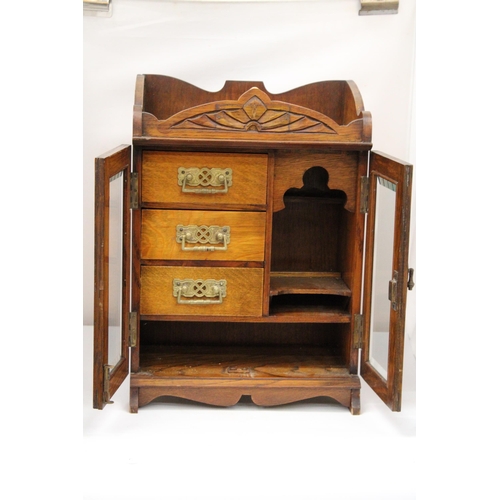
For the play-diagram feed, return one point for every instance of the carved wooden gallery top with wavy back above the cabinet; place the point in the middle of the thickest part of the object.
(171, 112)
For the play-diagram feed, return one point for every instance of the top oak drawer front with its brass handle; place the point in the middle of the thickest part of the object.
(210, 179)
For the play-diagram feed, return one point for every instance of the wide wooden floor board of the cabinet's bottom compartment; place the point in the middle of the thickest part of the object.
(217, 361)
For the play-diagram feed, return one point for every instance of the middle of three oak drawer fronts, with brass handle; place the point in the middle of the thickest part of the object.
(203, 235)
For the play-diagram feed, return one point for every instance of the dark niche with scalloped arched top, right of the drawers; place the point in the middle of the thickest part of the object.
(310, 245)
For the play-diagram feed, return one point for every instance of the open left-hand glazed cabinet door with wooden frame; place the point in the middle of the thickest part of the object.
(112, 273)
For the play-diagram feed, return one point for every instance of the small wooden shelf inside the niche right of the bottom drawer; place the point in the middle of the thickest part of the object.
(308, 284)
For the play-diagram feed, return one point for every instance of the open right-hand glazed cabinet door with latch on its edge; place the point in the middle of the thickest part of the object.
(386, 276)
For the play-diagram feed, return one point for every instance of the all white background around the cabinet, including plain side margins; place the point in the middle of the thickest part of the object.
(245, 452)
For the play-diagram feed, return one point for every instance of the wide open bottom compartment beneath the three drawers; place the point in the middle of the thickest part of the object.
(256, 350)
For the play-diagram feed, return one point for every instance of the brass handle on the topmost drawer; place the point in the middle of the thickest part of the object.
(210, 180)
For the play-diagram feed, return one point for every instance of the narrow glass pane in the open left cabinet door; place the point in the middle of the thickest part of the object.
(115, 269)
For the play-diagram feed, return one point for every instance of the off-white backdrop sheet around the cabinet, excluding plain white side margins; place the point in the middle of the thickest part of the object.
(299, 451)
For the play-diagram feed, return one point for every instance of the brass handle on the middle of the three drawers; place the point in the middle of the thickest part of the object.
(203, 234)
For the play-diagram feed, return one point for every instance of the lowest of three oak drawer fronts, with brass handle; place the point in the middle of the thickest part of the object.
(198, 291)
